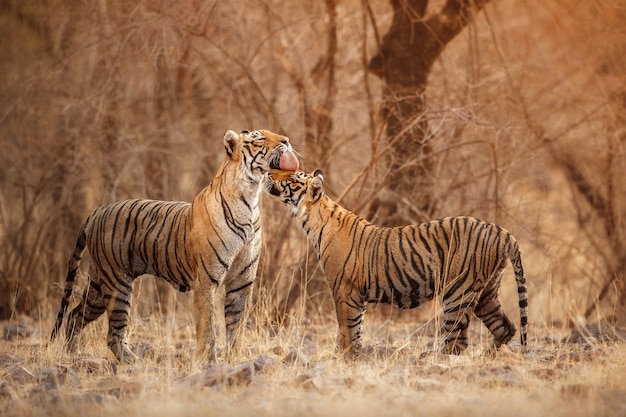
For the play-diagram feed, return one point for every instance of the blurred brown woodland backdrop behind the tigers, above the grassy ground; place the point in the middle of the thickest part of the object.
(510, 110)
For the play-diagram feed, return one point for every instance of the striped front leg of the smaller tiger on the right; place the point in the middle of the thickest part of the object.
(350, 315)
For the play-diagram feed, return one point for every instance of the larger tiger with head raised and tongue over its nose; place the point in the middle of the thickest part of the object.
(216, 240)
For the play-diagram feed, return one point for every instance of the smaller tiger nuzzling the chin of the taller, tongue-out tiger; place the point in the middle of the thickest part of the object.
(460, 259)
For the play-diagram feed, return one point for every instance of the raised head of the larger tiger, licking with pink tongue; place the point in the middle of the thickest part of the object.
(260, 151)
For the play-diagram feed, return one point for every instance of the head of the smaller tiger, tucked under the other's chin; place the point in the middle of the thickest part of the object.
(298, 190)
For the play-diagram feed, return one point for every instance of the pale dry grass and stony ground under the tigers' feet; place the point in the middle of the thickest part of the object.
(294, 370)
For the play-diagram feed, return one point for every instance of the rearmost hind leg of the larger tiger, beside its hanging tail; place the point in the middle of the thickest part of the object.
(89, 309)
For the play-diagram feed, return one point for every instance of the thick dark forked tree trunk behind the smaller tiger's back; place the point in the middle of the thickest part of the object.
(404, 61)
